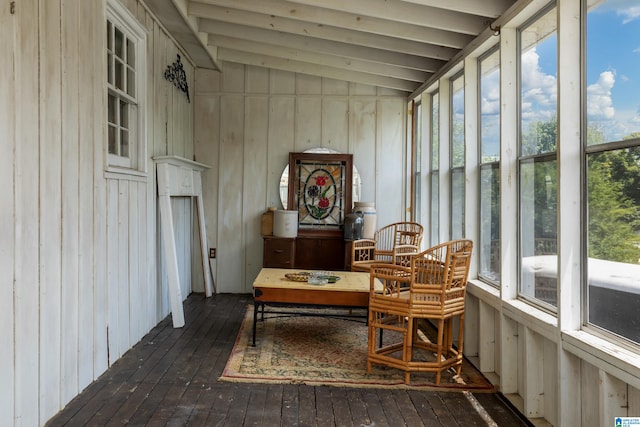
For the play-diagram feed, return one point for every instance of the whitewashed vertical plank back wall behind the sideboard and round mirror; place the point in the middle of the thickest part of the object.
(247, 121)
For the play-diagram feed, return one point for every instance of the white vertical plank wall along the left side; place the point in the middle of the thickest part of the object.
(81, 265)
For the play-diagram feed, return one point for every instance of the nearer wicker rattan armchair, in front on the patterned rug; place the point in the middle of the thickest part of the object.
(432, 288)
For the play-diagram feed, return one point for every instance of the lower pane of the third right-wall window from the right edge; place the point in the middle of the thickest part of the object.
(490, 222)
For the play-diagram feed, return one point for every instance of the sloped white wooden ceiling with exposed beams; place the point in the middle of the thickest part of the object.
(397, 44)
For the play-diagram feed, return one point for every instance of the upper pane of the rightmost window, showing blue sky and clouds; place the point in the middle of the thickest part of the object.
(613, 79)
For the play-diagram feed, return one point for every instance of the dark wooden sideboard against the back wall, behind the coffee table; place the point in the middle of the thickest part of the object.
(308, 251)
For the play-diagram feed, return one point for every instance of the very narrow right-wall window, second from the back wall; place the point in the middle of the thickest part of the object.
(434, 225)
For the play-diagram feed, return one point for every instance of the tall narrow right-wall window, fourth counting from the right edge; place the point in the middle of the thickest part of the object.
(457, 157)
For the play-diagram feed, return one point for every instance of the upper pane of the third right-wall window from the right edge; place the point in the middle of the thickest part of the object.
(490, 108)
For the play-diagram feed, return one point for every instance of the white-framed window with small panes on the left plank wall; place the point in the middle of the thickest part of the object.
(126, 69)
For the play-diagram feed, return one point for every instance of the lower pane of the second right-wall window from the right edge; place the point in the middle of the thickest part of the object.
(538, 229)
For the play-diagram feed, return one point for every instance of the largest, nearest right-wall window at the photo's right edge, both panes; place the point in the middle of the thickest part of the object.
(613, 167)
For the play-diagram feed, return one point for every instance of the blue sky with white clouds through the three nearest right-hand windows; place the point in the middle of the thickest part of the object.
(613, 73)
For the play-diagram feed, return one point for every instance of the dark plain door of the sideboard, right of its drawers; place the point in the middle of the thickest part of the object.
(320, 253)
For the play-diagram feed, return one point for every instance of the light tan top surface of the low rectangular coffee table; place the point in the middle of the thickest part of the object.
(349, 280)
